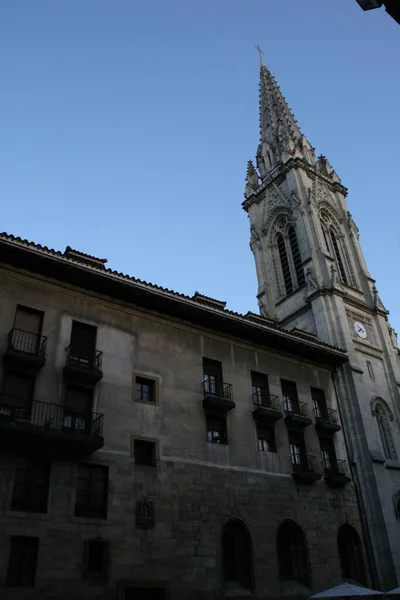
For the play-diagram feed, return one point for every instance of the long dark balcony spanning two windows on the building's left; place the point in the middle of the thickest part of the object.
(51, 426)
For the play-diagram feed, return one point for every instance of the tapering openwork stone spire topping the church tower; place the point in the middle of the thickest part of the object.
(280, 135)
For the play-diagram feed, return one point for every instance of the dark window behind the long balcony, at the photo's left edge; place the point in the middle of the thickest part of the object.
(16, 396)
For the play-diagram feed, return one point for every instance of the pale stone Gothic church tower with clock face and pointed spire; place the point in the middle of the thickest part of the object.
(312, 276)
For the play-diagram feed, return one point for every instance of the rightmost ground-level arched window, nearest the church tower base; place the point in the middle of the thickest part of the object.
(350, 554)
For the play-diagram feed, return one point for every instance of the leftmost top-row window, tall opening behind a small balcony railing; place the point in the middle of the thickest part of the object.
(25, 335)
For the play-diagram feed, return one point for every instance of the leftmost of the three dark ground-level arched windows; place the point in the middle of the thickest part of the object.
(237, 559)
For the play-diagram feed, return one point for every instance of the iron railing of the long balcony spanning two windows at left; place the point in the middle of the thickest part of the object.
(50, 417)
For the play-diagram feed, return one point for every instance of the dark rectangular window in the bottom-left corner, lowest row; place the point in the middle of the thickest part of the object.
(22, 561)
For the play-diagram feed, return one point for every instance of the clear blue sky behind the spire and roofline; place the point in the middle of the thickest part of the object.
(126, 126)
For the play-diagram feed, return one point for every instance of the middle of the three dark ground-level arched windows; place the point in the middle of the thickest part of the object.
(293, 554)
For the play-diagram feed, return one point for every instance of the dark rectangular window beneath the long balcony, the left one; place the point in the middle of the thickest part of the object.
(31, 485)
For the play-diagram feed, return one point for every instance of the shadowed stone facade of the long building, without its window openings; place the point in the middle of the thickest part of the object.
(195, 487)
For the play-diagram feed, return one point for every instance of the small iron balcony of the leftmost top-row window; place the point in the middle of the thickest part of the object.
(25, 351)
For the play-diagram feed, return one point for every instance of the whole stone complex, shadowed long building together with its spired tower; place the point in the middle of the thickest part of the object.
(159, 446)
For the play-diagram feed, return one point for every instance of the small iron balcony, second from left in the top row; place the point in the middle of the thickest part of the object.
(83, 369)
